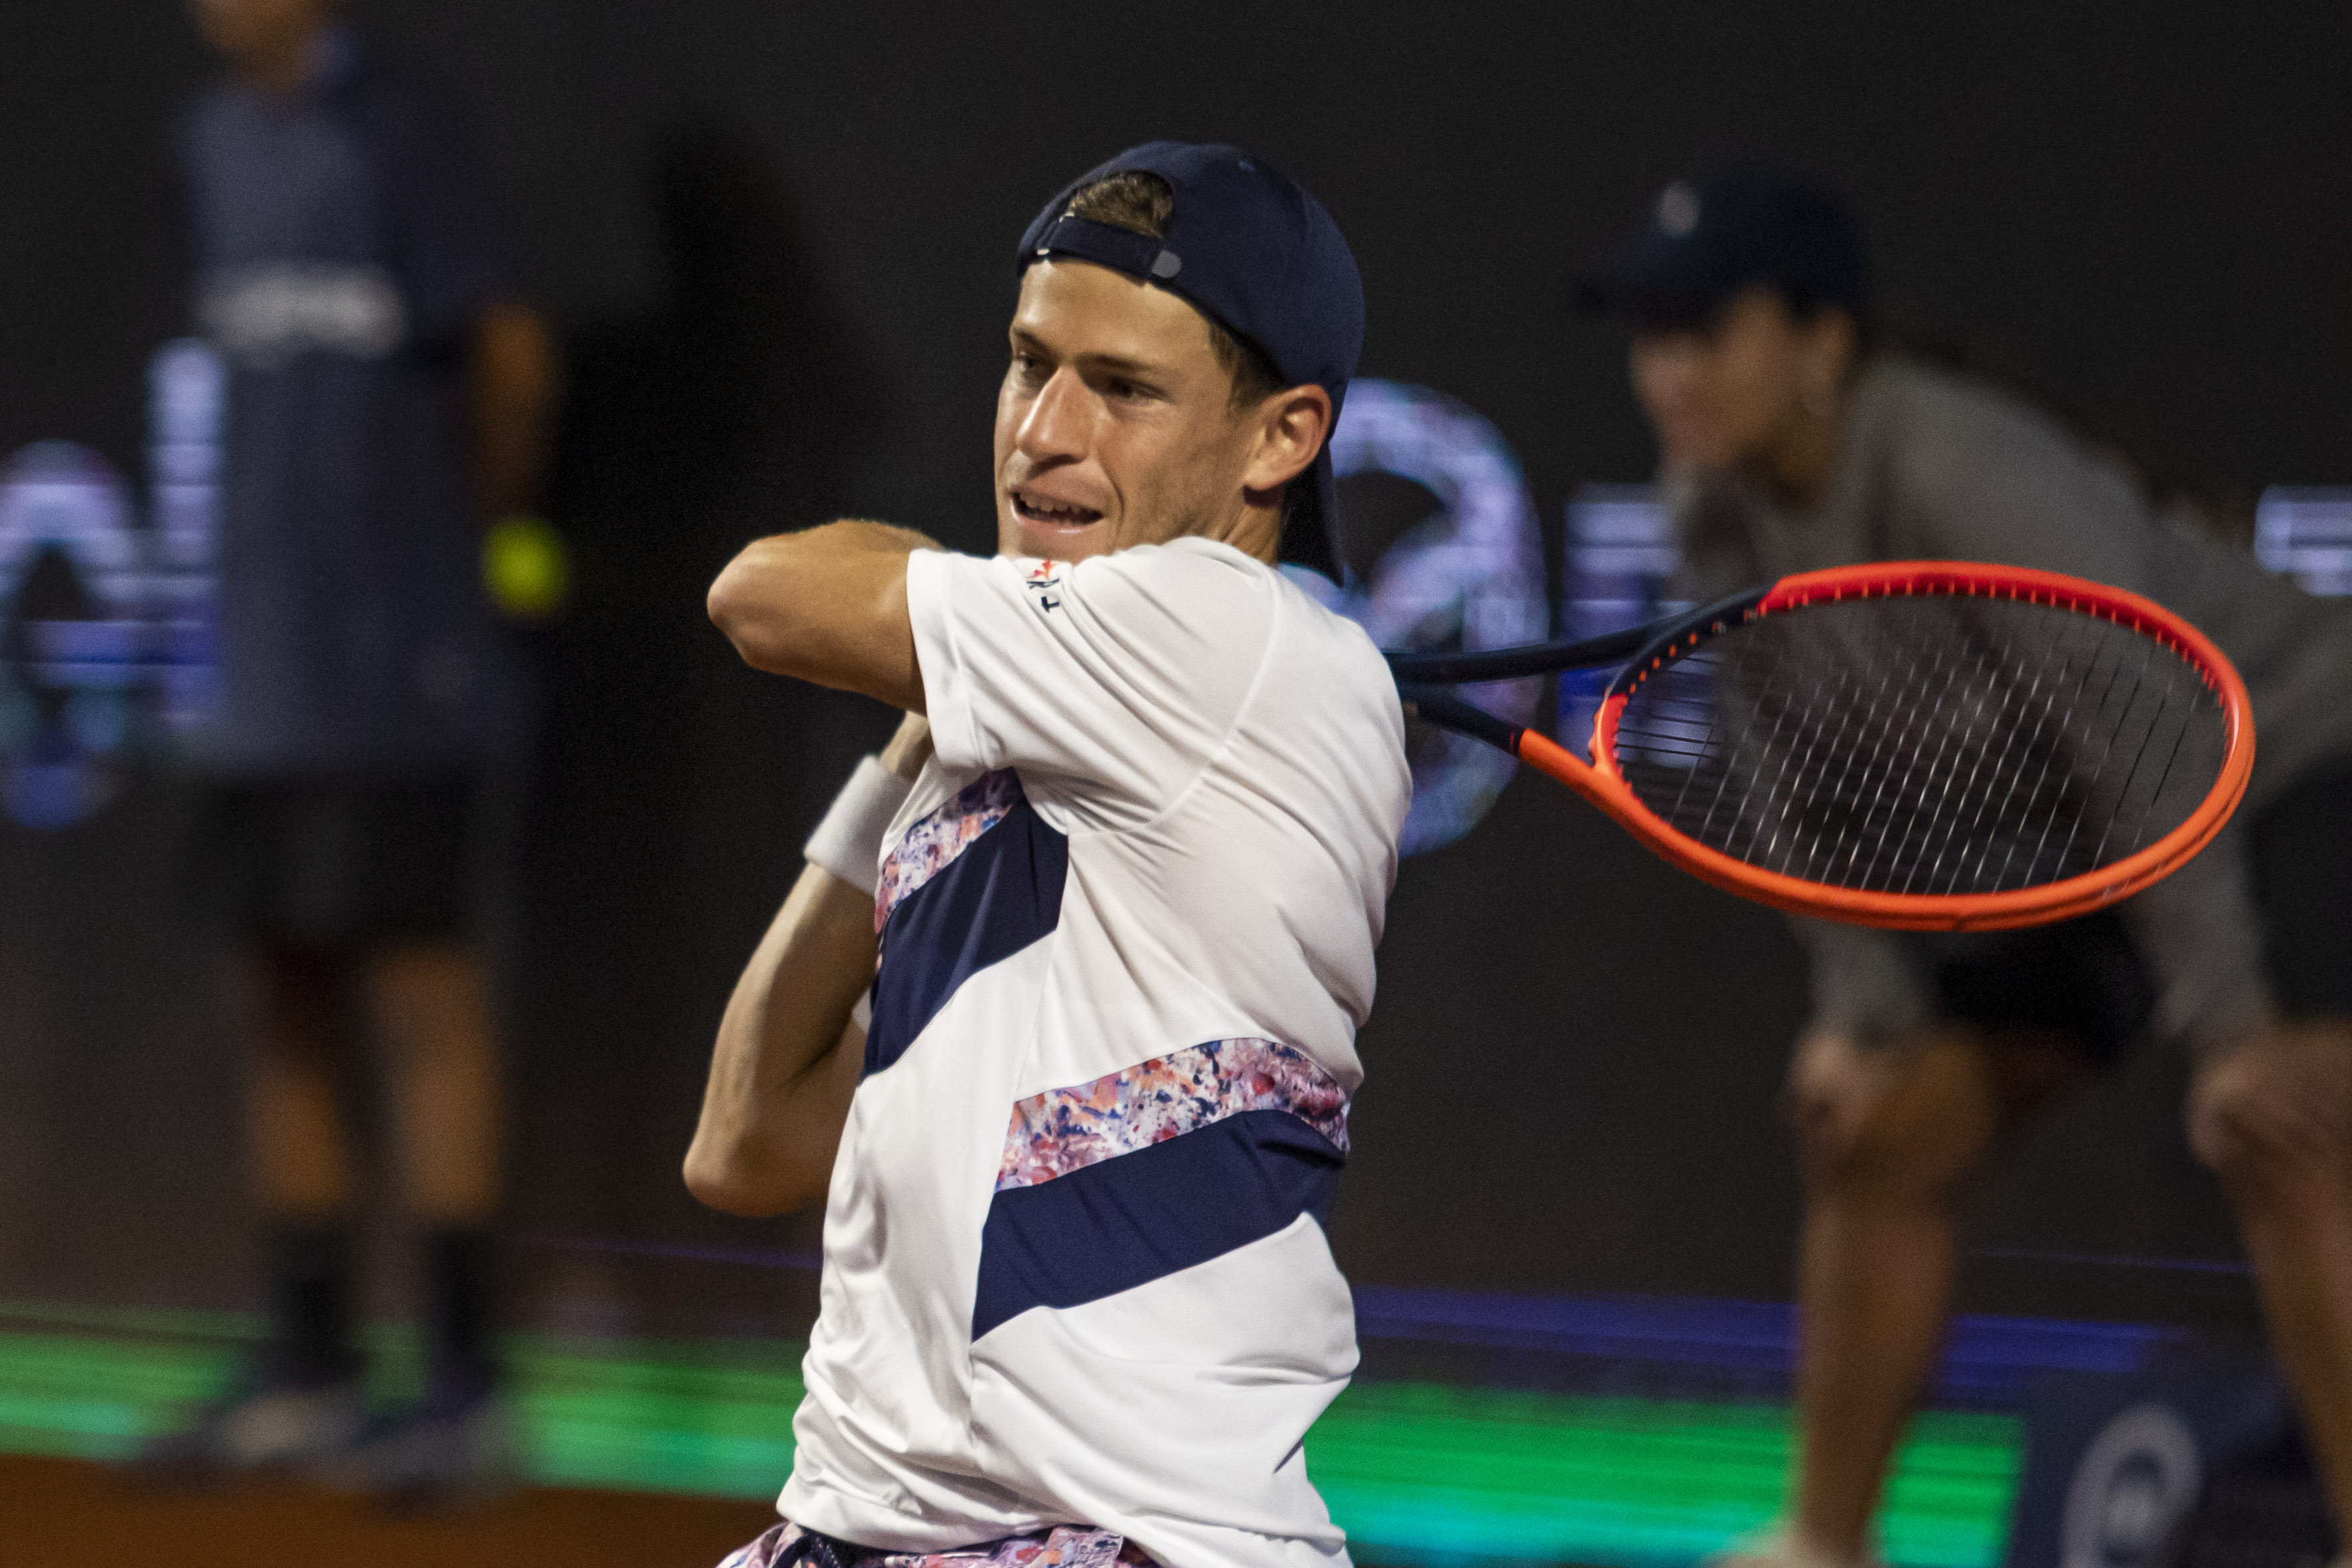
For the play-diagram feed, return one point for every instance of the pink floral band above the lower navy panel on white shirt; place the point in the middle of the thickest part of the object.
(1067, 1130)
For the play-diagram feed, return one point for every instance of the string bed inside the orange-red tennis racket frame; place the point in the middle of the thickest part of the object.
(1925, 744)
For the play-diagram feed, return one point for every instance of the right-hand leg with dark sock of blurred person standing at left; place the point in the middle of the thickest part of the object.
(448, 1094)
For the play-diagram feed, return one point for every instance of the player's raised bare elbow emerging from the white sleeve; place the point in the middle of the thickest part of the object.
(827, 605)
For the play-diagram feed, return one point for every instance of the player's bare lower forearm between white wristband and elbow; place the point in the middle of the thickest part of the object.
(787, 1057)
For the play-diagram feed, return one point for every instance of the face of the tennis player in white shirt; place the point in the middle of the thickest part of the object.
(1116, 422)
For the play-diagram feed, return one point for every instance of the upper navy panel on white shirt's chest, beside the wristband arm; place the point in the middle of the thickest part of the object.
(998, 897)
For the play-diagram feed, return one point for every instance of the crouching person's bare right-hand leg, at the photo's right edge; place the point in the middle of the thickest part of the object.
(2276, 1120)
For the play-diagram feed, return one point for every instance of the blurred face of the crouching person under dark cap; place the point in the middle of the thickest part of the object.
(1730, 394)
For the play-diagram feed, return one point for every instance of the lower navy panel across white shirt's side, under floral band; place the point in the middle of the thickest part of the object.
(1142, 1217)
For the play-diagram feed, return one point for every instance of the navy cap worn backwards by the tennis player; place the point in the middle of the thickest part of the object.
(1262, 260)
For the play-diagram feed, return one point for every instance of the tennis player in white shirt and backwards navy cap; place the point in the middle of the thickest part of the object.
(1128, 873)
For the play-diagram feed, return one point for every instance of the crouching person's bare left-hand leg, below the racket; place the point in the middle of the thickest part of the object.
(1885, 1141)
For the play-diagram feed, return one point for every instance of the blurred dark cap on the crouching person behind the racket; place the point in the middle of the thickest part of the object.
(1730, 229)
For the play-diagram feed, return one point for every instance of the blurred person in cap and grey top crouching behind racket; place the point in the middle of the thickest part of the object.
(1796, 438)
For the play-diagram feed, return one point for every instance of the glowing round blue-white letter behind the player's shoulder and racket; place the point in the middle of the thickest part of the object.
(1469, 579)
